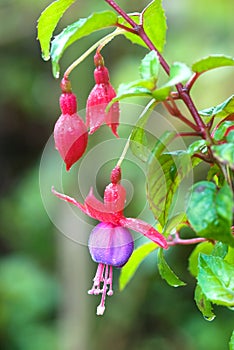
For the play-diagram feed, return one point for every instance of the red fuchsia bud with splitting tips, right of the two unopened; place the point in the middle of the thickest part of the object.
(99, 98)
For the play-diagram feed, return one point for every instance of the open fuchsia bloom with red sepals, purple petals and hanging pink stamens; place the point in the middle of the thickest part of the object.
(111, 243)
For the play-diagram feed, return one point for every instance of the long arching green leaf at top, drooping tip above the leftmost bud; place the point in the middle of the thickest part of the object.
(78, 30)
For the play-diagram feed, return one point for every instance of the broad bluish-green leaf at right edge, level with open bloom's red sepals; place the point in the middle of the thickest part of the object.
(209, 211)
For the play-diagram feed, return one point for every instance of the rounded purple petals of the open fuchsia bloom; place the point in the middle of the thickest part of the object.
(111, 245)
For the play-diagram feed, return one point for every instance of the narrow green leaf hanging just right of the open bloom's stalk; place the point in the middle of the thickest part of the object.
(139, 143)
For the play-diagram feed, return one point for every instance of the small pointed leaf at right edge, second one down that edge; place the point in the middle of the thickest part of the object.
(222, 110)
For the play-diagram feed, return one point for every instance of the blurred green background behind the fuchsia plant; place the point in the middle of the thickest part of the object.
(44, 276)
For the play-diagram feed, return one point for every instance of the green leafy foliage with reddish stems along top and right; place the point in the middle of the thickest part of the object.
(209, 204)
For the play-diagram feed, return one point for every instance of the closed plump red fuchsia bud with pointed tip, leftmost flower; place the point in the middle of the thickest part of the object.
(70, 132)
